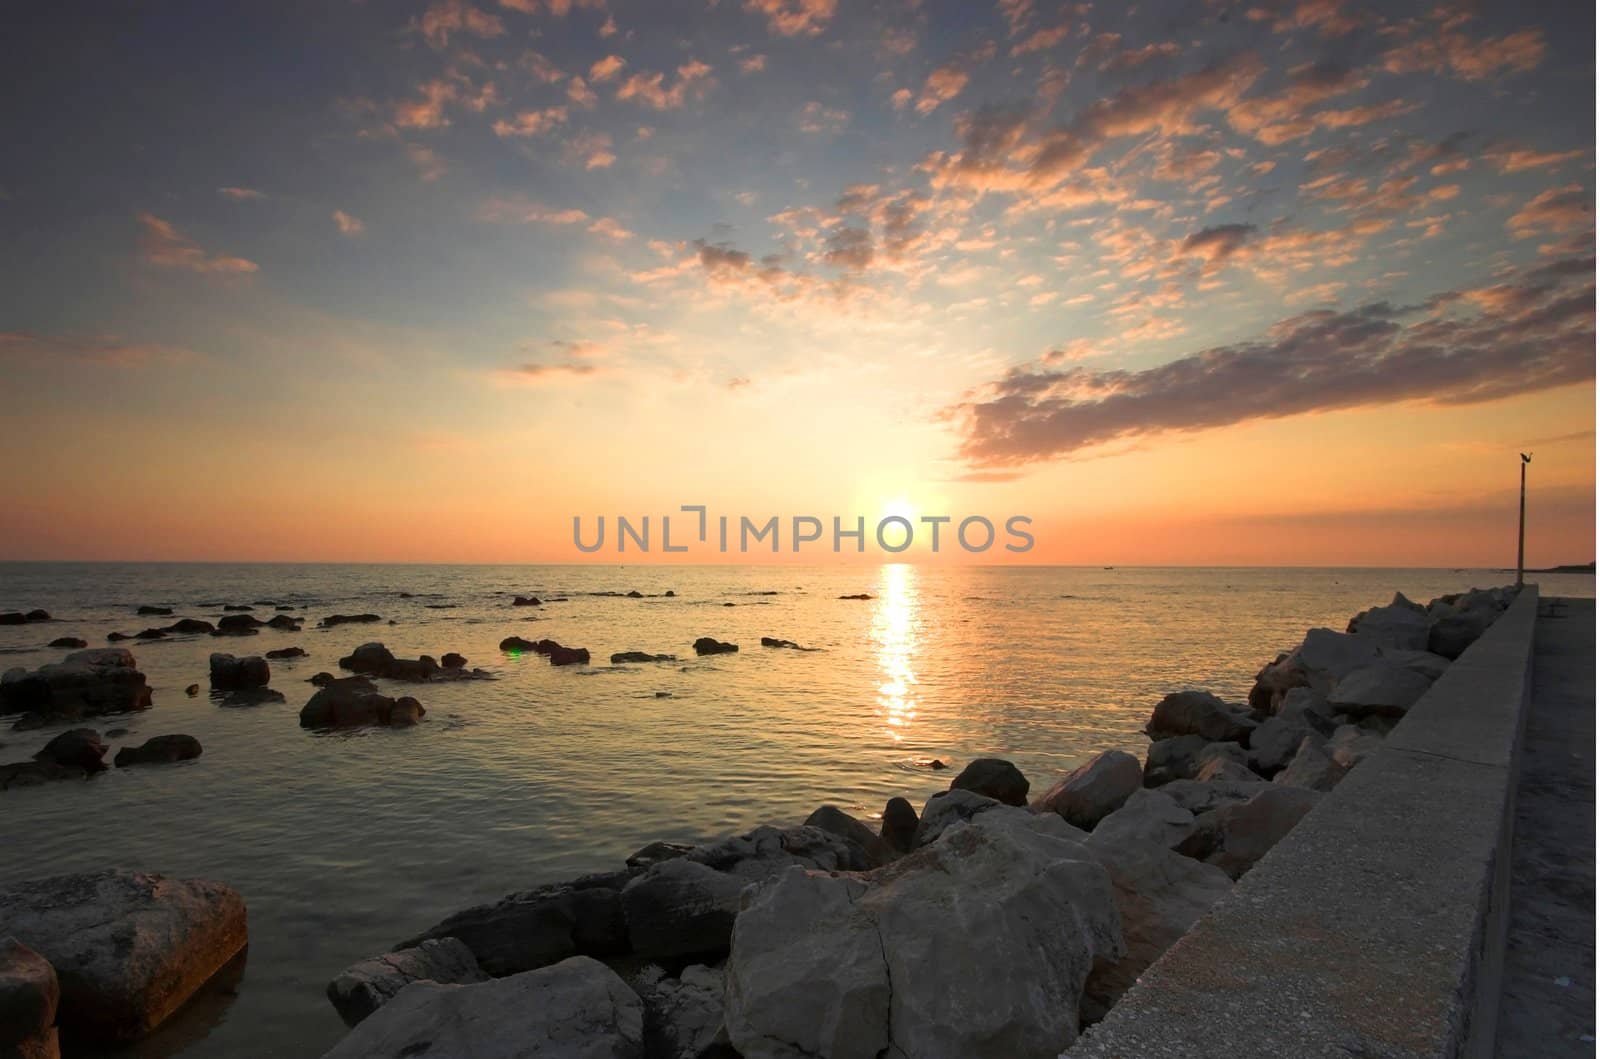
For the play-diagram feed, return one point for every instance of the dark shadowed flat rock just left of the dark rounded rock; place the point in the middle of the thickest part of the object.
(542, 927)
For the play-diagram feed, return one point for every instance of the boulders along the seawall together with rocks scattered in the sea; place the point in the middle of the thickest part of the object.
(990, 924)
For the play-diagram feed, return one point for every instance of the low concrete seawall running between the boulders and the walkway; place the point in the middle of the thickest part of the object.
(1378, 925)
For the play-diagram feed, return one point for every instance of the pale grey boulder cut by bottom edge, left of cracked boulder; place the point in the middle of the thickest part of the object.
(574, 1010)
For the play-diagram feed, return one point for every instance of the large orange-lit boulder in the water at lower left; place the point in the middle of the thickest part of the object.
(129, 948)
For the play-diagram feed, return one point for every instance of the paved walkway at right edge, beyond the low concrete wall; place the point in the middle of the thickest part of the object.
(1548, 999)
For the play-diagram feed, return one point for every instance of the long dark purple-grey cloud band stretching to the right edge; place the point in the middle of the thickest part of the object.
(1322, 361)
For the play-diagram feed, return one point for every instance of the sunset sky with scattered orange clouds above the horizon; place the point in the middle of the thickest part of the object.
(426, 281)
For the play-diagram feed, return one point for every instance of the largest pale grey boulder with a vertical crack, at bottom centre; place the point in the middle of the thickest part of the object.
(977, 946)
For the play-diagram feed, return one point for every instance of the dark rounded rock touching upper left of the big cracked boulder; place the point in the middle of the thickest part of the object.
(681, 909)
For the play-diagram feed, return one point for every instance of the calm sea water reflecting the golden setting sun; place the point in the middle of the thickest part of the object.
(345, 844)
